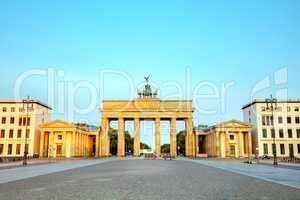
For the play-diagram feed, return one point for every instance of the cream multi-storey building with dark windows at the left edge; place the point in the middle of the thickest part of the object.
(17, 123)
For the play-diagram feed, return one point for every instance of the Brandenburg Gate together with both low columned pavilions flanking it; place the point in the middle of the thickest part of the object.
(228, 139)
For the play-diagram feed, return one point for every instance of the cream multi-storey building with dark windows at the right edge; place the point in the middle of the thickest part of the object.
(285, 127)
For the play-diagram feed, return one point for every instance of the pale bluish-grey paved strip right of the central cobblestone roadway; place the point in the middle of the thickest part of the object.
(285, 176)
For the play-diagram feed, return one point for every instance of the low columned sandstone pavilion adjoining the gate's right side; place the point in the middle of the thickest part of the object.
(229, 139)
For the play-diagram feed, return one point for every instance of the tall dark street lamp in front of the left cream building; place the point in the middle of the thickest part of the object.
(28, 106)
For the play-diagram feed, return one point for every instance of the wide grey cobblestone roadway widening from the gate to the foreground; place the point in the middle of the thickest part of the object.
(145, 179)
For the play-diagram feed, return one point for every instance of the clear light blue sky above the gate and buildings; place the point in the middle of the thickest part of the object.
(206, 44)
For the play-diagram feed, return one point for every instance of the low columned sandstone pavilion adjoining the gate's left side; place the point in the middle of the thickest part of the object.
(63, 139)
